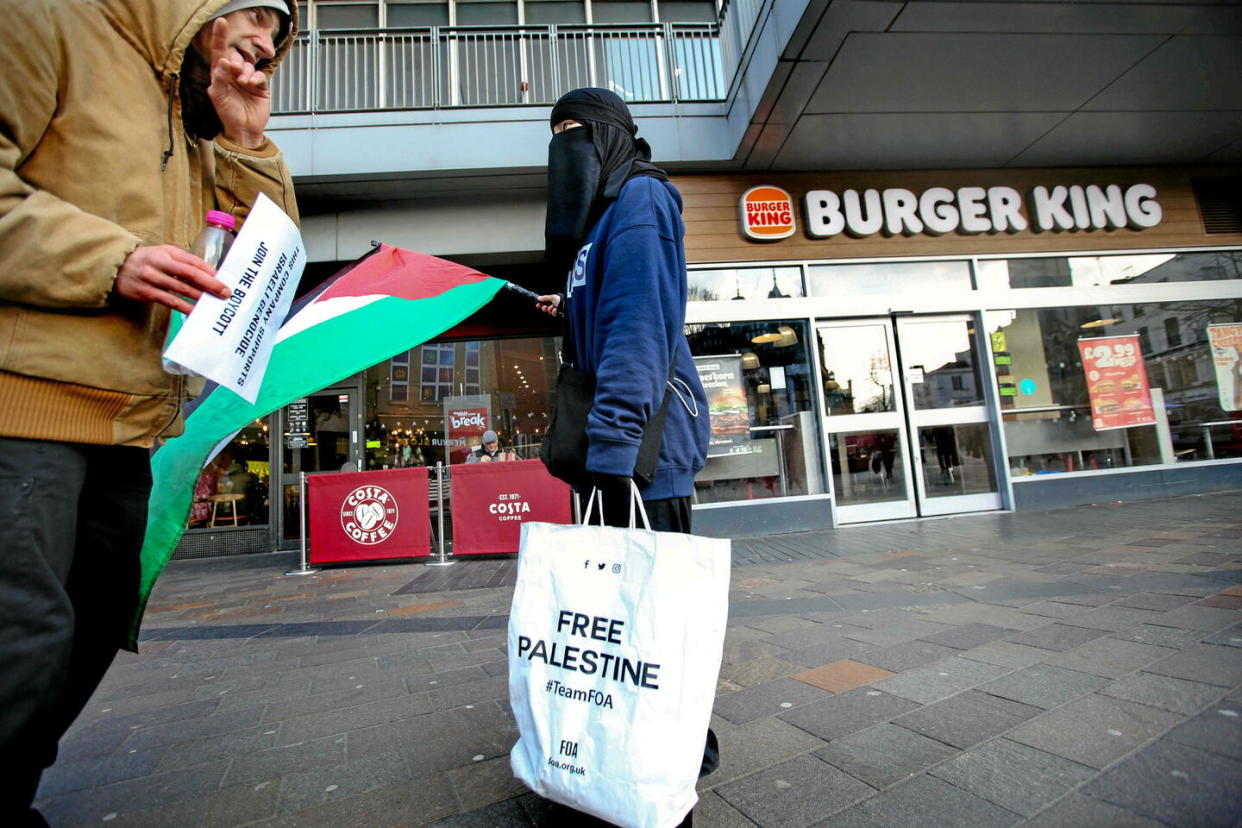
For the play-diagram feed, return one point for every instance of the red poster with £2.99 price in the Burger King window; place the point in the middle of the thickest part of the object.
(1117, 383)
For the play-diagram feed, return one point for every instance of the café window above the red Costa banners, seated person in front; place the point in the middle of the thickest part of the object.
(507, 385)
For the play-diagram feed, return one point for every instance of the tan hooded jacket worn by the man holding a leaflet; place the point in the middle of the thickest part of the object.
(89, 109)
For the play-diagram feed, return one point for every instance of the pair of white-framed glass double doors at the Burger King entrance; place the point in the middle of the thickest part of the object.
(907, 425)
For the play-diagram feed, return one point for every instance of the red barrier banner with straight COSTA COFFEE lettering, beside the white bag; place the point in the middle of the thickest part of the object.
(492, 501)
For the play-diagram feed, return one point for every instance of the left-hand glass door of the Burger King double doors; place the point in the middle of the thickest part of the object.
(865, 423)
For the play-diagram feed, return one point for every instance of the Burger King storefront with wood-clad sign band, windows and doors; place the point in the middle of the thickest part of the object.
(932, 330)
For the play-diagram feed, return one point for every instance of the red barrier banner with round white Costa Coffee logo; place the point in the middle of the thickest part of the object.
(369, 516)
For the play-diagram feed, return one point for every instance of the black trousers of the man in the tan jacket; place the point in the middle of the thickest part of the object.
(73, 521)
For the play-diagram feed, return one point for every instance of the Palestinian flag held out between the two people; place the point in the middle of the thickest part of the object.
(387, 302)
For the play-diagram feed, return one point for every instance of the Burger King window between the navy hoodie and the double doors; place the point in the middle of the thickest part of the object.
(764, 435)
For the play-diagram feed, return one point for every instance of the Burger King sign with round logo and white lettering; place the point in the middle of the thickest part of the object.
(768, 213)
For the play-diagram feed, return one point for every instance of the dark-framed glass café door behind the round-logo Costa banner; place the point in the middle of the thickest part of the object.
(321, 433)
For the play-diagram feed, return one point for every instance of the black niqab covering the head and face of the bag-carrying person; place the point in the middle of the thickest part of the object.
(588, 167)
